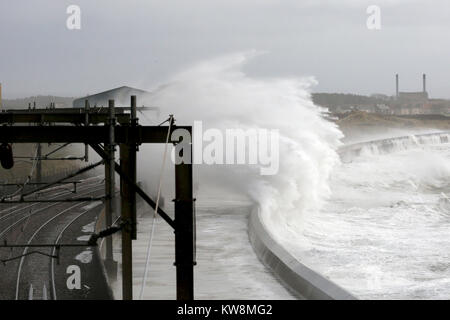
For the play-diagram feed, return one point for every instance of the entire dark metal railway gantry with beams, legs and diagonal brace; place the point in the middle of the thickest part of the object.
(120, 127)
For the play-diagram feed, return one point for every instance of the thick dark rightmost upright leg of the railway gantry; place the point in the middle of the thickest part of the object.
(184, 231)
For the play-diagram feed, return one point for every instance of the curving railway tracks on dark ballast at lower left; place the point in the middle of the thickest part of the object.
(30, 274)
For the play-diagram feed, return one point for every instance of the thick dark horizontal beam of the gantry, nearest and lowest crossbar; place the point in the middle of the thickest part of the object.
(90, 135)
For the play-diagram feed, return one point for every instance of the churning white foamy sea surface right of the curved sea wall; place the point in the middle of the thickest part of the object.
(385, 232)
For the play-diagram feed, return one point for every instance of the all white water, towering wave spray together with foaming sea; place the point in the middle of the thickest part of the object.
(383, 226)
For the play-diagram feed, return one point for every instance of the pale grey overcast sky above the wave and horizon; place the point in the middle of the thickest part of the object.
(142, 42)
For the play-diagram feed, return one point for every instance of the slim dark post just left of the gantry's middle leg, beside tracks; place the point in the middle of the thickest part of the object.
(110, 181)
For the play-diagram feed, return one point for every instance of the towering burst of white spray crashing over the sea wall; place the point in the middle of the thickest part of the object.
(218, 93)
